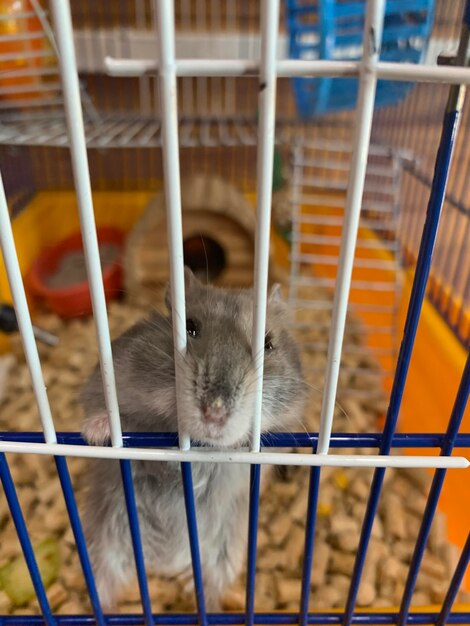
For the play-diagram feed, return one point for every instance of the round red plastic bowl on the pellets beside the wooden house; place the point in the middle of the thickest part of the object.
(74, 300)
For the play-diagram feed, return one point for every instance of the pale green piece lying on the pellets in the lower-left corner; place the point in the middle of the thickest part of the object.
(15, 578)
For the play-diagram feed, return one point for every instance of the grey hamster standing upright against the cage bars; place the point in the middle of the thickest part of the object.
(216, 410)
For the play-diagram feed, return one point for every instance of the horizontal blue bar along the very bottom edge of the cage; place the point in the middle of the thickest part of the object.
(229, 619)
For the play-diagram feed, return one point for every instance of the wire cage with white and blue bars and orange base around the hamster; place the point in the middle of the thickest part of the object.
(178, 103)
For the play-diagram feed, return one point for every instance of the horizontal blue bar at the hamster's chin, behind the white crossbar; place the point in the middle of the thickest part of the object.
(275, 440)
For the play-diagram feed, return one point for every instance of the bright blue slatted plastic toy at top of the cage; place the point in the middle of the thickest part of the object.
(333, 30)
